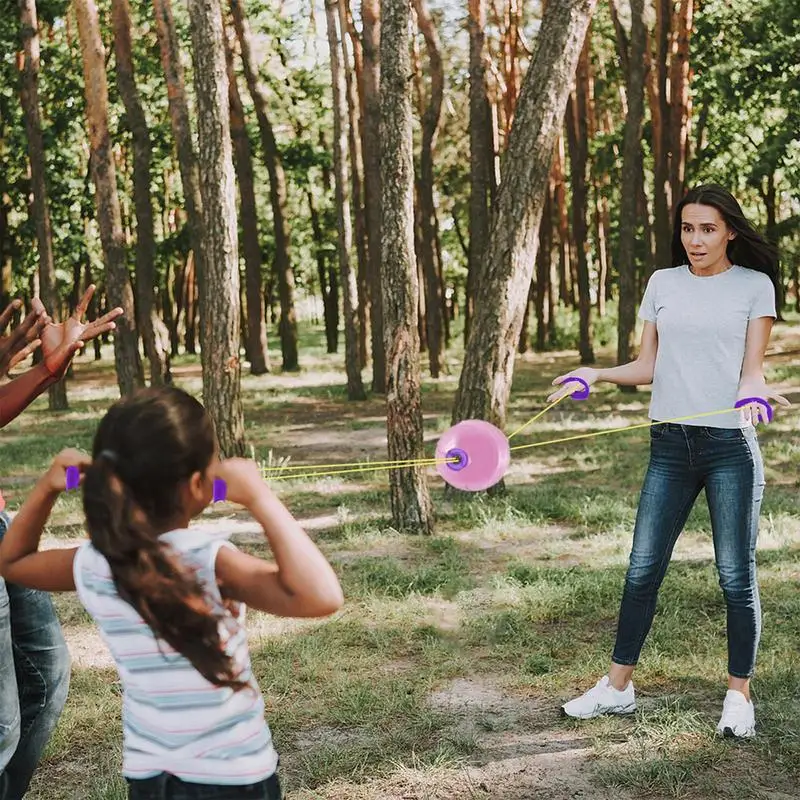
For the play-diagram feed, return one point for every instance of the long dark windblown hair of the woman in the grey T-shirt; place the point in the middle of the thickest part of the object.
(748, 249)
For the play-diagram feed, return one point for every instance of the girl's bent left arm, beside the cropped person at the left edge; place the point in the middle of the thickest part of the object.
(21, 562)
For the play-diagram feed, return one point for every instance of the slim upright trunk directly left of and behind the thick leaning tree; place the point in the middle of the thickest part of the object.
(481, 156)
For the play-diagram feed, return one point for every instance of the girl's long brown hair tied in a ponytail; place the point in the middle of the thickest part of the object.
(145, 447)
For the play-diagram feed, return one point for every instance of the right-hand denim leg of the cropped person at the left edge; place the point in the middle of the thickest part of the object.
(42, 668)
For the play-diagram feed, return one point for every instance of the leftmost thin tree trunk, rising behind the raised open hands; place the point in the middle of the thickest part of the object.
(29, 94)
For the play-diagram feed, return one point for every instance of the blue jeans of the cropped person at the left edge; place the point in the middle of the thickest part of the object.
(34, 681)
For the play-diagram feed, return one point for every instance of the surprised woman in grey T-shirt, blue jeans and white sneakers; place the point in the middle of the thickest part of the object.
(707, 323)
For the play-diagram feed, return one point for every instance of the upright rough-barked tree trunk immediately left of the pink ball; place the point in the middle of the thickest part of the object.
(411, 503)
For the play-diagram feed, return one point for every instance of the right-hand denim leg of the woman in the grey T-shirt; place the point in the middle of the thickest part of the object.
(734, 490)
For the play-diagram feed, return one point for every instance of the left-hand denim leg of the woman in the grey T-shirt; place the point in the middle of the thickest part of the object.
(670, 489)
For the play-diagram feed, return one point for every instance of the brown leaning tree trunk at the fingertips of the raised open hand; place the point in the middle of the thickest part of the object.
(118, 284)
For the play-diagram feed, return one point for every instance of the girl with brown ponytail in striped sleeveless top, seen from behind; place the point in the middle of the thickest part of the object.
(169, 599)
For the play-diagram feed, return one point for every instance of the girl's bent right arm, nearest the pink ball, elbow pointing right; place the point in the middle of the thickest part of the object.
(301, 583)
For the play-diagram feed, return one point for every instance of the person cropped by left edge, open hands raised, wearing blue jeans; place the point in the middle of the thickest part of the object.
(34, 661)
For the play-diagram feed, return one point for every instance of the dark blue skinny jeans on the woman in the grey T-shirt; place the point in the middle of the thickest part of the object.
(683, 460)
